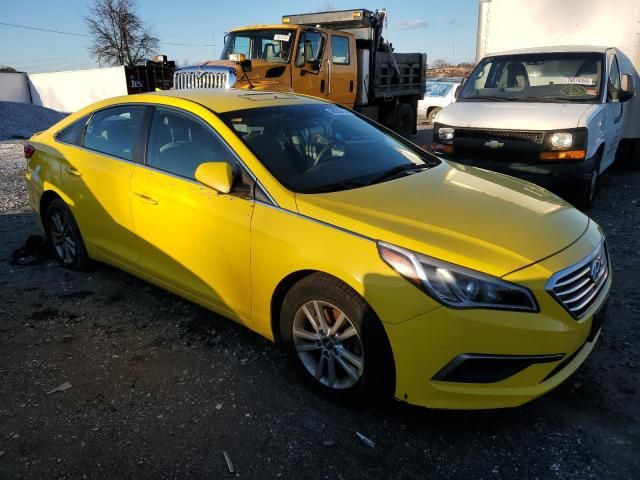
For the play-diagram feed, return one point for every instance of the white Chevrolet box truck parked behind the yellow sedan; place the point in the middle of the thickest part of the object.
(543, 103)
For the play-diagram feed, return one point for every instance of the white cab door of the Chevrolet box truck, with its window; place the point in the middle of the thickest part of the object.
(613, 124)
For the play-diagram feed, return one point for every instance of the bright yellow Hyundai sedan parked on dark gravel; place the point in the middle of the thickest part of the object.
(383, 270)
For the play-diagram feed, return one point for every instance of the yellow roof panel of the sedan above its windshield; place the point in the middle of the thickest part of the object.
(222, 100)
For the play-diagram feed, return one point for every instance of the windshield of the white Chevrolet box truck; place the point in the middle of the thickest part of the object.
(549, 77)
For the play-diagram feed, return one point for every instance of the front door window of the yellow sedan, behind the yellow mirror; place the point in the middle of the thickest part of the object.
(178, 144)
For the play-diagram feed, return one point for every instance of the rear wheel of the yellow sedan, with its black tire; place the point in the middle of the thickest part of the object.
(64, 238)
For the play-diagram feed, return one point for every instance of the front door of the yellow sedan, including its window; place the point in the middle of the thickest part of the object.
(193, 239)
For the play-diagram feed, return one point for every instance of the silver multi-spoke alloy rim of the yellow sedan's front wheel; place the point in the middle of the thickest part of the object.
(328, 344)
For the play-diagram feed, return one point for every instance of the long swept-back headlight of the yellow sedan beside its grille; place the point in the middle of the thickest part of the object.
(456, 286)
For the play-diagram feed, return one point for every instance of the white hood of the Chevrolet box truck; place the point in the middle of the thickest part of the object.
(513, 115)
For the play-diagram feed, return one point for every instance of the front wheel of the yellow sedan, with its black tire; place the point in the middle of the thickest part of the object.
(364, 341)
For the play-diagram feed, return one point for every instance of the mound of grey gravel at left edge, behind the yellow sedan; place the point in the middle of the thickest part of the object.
(21, 120)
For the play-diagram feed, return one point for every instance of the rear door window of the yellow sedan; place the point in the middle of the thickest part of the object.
(114, 131)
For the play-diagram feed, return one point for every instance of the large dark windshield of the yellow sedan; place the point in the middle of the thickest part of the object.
(323, 147)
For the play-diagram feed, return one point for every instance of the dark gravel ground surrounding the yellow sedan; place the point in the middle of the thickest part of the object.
(160, 388)
